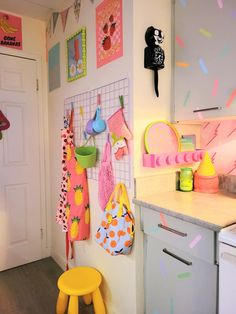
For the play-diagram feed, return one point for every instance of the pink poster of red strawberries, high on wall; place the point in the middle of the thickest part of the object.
(109, 31)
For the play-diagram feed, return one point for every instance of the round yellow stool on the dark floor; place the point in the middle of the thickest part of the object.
(79, 281)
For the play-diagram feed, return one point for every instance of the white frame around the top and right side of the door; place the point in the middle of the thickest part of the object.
(42, 102)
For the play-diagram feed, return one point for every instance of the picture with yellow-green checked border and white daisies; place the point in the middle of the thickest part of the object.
(76, 55)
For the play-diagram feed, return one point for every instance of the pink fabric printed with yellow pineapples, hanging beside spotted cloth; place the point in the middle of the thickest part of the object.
(77, 207)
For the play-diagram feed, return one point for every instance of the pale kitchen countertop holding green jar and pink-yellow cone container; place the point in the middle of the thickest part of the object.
(212, 211)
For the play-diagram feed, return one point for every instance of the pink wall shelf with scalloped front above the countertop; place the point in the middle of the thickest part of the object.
(172, 159)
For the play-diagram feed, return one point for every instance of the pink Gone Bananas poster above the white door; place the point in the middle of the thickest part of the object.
(10, 31)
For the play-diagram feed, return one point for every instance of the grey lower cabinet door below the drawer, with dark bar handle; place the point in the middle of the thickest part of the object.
(176, 282)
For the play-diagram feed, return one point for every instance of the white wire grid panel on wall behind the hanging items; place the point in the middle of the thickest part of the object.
(109, 104)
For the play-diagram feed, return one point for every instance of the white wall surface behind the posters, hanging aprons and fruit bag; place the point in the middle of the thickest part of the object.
(119, 272)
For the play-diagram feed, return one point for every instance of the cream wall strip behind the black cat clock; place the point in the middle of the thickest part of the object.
(147, 106)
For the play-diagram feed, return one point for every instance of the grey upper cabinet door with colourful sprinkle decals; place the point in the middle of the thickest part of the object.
(204, 57)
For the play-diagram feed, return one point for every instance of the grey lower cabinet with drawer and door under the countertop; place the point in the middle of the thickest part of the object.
(180, 277)
